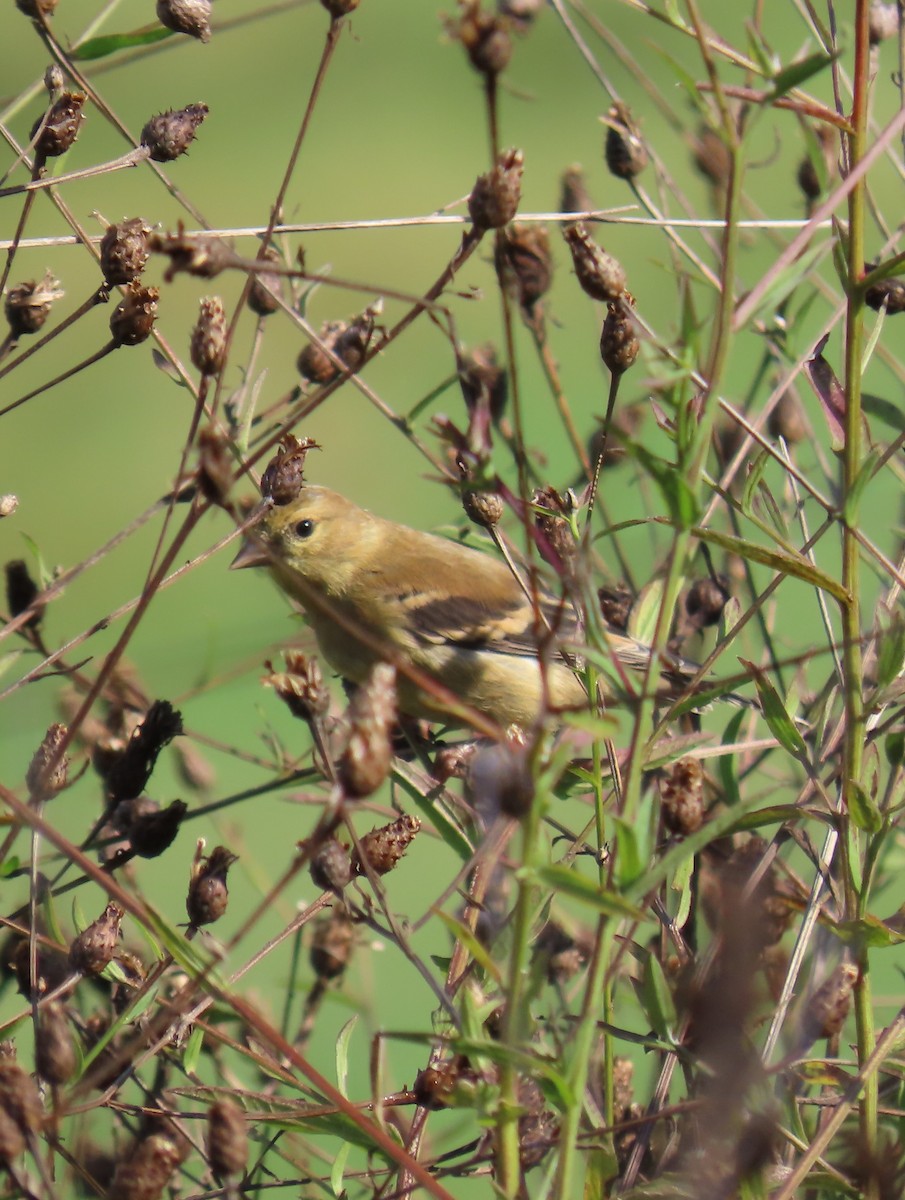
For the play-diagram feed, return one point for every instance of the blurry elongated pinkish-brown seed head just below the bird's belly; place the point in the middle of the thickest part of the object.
(367, 759)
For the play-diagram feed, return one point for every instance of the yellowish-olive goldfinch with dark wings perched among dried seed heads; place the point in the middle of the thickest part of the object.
(374, 590)
